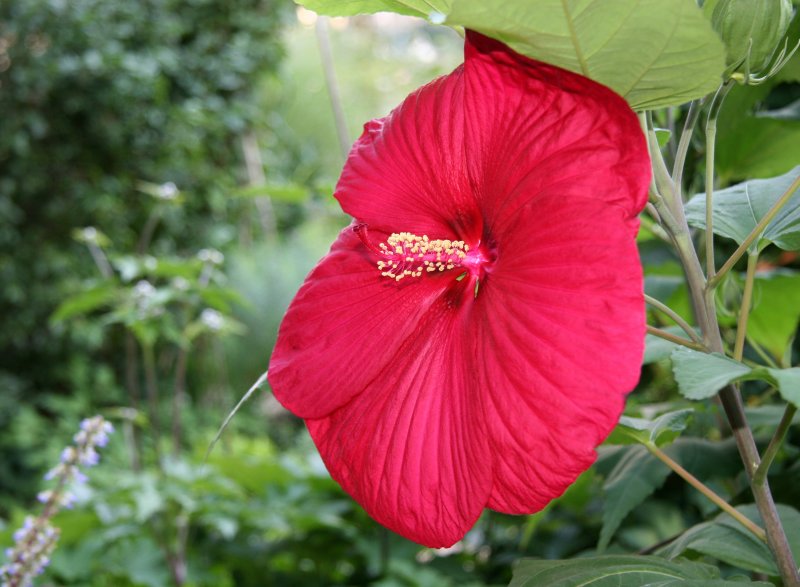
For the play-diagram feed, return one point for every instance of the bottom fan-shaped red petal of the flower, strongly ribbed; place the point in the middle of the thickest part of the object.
(411, 447)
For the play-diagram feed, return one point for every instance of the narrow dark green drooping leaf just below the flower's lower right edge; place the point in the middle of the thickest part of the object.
(635, 476)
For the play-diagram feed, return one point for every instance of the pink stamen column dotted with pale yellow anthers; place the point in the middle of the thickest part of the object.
(407, 255)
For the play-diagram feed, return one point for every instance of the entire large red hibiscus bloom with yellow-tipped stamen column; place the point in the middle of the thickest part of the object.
(470, 339)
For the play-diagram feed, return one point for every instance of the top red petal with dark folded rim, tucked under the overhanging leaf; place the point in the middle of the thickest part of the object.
(532, 125)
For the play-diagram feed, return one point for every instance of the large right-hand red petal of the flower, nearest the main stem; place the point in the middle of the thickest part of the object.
(560, 331)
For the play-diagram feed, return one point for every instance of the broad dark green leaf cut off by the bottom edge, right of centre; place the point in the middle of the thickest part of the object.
(609, 571)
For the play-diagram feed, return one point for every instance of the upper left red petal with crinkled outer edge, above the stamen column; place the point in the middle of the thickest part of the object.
(407, 171)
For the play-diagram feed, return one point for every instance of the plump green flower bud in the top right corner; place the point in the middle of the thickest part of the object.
(751, 31)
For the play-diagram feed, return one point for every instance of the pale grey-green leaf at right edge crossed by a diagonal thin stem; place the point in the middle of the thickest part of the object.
(739, 208)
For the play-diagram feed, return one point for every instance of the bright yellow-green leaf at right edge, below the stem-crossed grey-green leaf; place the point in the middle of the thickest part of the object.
(776, 311)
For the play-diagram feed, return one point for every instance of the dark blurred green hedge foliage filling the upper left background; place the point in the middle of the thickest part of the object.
(96, 97)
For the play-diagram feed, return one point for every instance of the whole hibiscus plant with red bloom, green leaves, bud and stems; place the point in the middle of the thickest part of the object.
(472, 336)
